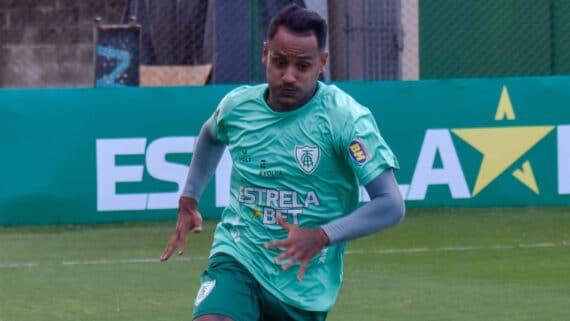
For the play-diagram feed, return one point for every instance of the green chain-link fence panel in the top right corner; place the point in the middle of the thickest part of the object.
(494, 38)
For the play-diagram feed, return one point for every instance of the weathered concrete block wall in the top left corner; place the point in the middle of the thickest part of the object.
(49, 43)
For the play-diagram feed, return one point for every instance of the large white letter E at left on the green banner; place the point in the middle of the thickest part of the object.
(108, 174)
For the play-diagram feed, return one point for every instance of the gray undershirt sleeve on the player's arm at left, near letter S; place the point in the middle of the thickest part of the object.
(205, 159)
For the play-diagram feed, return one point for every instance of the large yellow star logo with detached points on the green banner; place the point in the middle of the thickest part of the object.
(502, 146)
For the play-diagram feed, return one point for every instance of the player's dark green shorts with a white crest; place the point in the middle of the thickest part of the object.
(229, 289)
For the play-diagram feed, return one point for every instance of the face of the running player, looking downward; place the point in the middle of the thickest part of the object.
(293, 64)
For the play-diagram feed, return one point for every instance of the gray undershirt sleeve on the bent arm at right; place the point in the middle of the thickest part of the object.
(385, 209)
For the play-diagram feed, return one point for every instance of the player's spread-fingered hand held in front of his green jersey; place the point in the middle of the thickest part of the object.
(301, 245)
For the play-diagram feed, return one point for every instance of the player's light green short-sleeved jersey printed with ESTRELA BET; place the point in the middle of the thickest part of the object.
(306, 165)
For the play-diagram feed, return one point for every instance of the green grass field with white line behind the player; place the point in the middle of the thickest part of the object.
(440, 264)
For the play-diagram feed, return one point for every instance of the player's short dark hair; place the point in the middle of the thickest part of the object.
(299, 20)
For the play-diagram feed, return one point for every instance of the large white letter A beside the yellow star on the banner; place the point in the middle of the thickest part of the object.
(451, 174)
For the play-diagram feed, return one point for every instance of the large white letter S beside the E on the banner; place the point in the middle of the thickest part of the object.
(159, 168)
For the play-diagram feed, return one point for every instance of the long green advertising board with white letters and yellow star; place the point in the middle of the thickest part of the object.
(98, 155)
